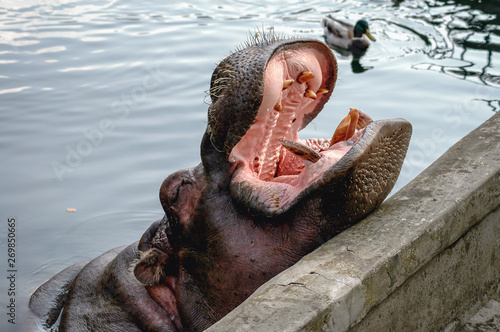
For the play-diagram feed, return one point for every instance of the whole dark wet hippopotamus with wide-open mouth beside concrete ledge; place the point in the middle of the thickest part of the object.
(259, 201)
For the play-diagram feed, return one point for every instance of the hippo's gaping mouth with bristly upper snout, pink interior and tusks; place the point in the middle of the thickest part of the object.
(293, 81)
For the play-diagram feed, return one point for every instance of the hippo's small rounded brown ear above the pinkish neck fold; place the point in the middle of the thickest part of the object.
(149, 270)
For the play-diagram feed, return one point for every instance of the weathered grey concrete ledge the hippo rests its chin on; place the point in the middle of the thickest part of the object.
(427, 259)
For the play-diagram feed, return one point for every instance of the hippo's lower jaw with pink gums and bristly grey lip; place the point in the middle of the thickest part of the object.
(297, 176)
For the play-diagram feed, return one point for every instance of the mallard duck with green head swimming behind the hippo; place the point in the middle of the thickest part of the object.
(347, 36)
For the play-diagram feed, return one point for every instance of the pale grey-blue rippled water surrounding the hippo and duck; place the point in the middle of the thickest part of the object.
(99, 101)
